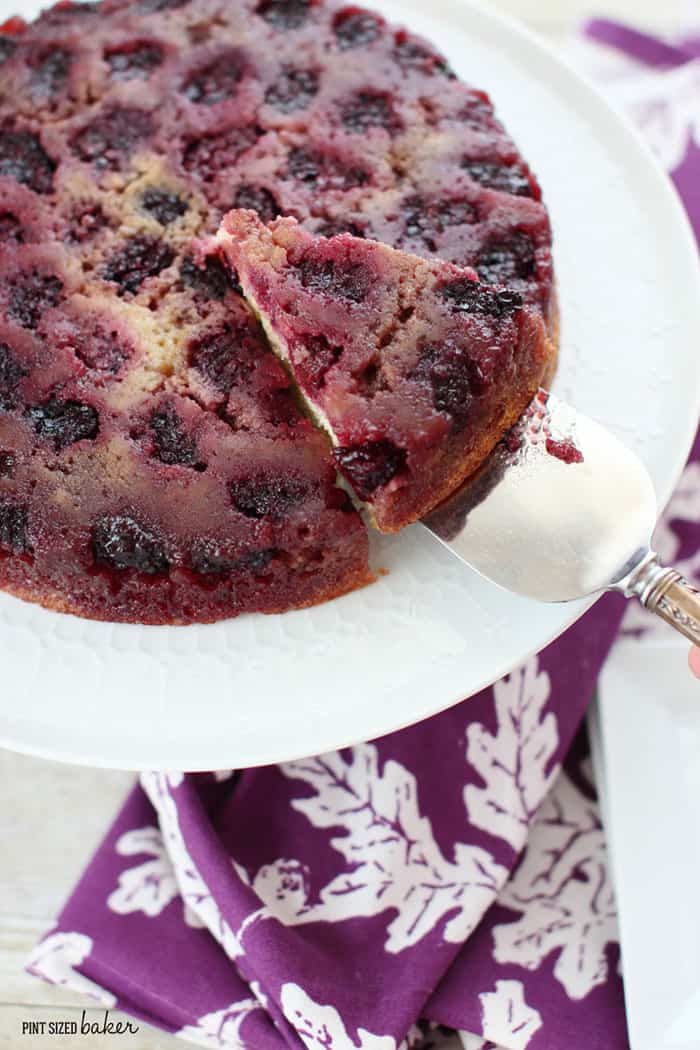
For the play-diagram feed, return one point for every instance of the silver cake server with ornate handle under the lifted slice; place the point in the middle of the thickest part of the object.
(562, 510)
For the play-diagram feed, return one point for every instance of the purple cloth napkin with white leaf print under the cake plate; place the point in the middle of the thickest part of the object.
(453, 874)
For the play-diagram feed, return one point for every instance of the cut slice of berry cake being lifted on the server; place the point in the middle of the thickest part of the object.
(414, 368)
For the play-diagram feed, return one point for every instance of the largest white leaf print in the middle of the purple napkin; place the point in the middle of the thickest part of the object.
(393, 859)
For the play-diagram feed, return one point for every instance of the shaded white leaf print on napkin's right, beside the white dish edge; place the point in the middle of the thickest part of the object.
(564, 894)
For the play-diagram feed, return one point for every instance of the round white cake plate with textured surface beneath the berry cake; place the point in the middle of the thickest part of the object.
(264, 689)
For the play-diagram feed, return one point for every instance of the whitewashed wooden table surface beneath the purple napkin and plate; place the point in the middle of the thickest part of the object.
(53, 816)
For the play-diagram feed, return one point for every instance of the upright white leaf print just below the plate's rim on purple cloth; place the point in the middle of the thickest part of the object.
(513, 764)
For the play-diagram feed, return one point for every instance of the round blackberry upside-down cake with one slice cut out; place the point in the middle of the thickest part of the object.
(156, 463)
